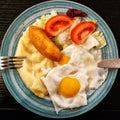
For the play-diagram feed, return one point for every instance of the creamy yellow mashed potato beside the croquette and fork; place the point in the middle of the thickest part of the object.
(31, 70)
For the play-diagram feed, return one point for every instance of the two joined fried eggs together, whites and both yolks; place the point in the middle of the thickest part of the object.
(71, 78)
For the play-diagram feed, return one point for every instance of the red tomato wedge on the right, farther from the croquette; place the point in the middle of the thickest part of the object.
(82, 31)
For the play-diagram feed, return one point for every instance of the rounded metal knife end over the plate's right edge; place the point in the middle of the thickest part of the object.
(110, 63)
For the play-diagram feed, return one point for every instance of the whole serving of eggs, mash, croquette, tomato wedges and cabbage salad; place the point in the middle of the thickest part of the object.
(62, 63)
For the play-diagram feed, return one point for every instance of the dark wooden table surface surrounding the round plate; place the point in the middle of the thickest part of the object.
(109, 108)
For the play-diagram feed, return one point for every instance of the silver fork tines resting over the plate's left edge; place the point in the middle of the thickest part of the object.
(11, 62)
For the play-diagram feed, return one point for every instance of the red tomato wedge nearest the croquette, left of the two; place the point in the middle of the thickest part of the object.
(57, 24)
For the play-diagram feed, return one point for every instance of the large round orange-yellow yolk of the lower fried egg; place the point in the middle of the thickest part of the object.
(69, 87)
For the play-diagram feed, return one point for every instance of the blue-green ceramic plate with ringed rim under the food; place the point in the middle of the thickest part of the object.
(13, 81)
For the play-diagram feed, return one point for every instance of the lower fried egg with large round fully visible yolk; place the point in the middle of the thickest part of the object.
(67, 86)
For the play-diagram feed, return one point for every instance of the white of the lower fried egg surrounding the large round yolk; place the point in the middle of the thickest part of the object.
(53, 79)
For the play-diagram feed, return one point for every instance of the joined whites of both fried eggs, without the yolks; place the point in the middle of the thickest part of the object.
(82, 66)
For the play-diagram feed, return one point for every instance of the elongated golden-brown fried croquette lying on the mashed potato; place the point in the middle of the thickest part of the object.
(44, 44)
